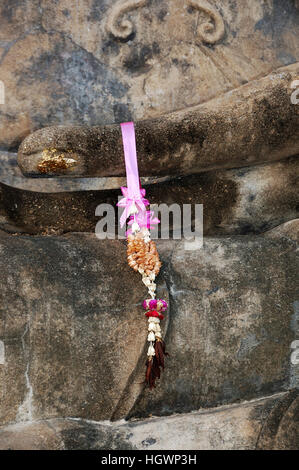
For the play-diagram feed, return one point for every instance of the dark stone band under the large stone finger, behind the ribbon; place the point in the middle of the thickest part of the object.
(238, 201)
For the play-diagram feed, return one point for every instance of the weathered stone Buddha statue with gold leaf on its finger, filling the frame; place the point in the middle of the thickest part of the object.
(213, 90)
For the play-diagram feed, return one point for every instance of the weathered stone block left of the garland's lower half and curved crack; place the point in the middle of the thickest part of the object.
(72, 327)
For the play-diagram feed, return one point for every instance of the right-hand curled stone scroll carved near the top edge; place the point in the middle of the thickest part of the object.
(208, 32)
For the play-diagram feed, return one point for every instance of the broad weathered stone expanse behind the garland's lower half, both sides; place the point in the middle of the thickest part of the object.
(74, 333)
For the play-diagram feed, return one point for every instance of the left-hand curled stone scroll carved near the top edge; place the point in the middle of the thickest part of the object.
(125, 27)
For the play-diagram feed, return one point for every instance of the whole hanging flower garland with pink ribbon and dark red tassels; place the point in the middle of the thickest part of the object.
(142, 253)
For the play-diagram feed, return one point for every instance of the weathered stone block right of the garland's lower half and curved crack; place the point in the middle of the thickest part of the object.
(232, 322)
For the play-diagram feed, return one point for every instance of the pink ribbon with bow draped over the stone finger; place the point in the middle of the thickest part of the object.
(133, 194)
